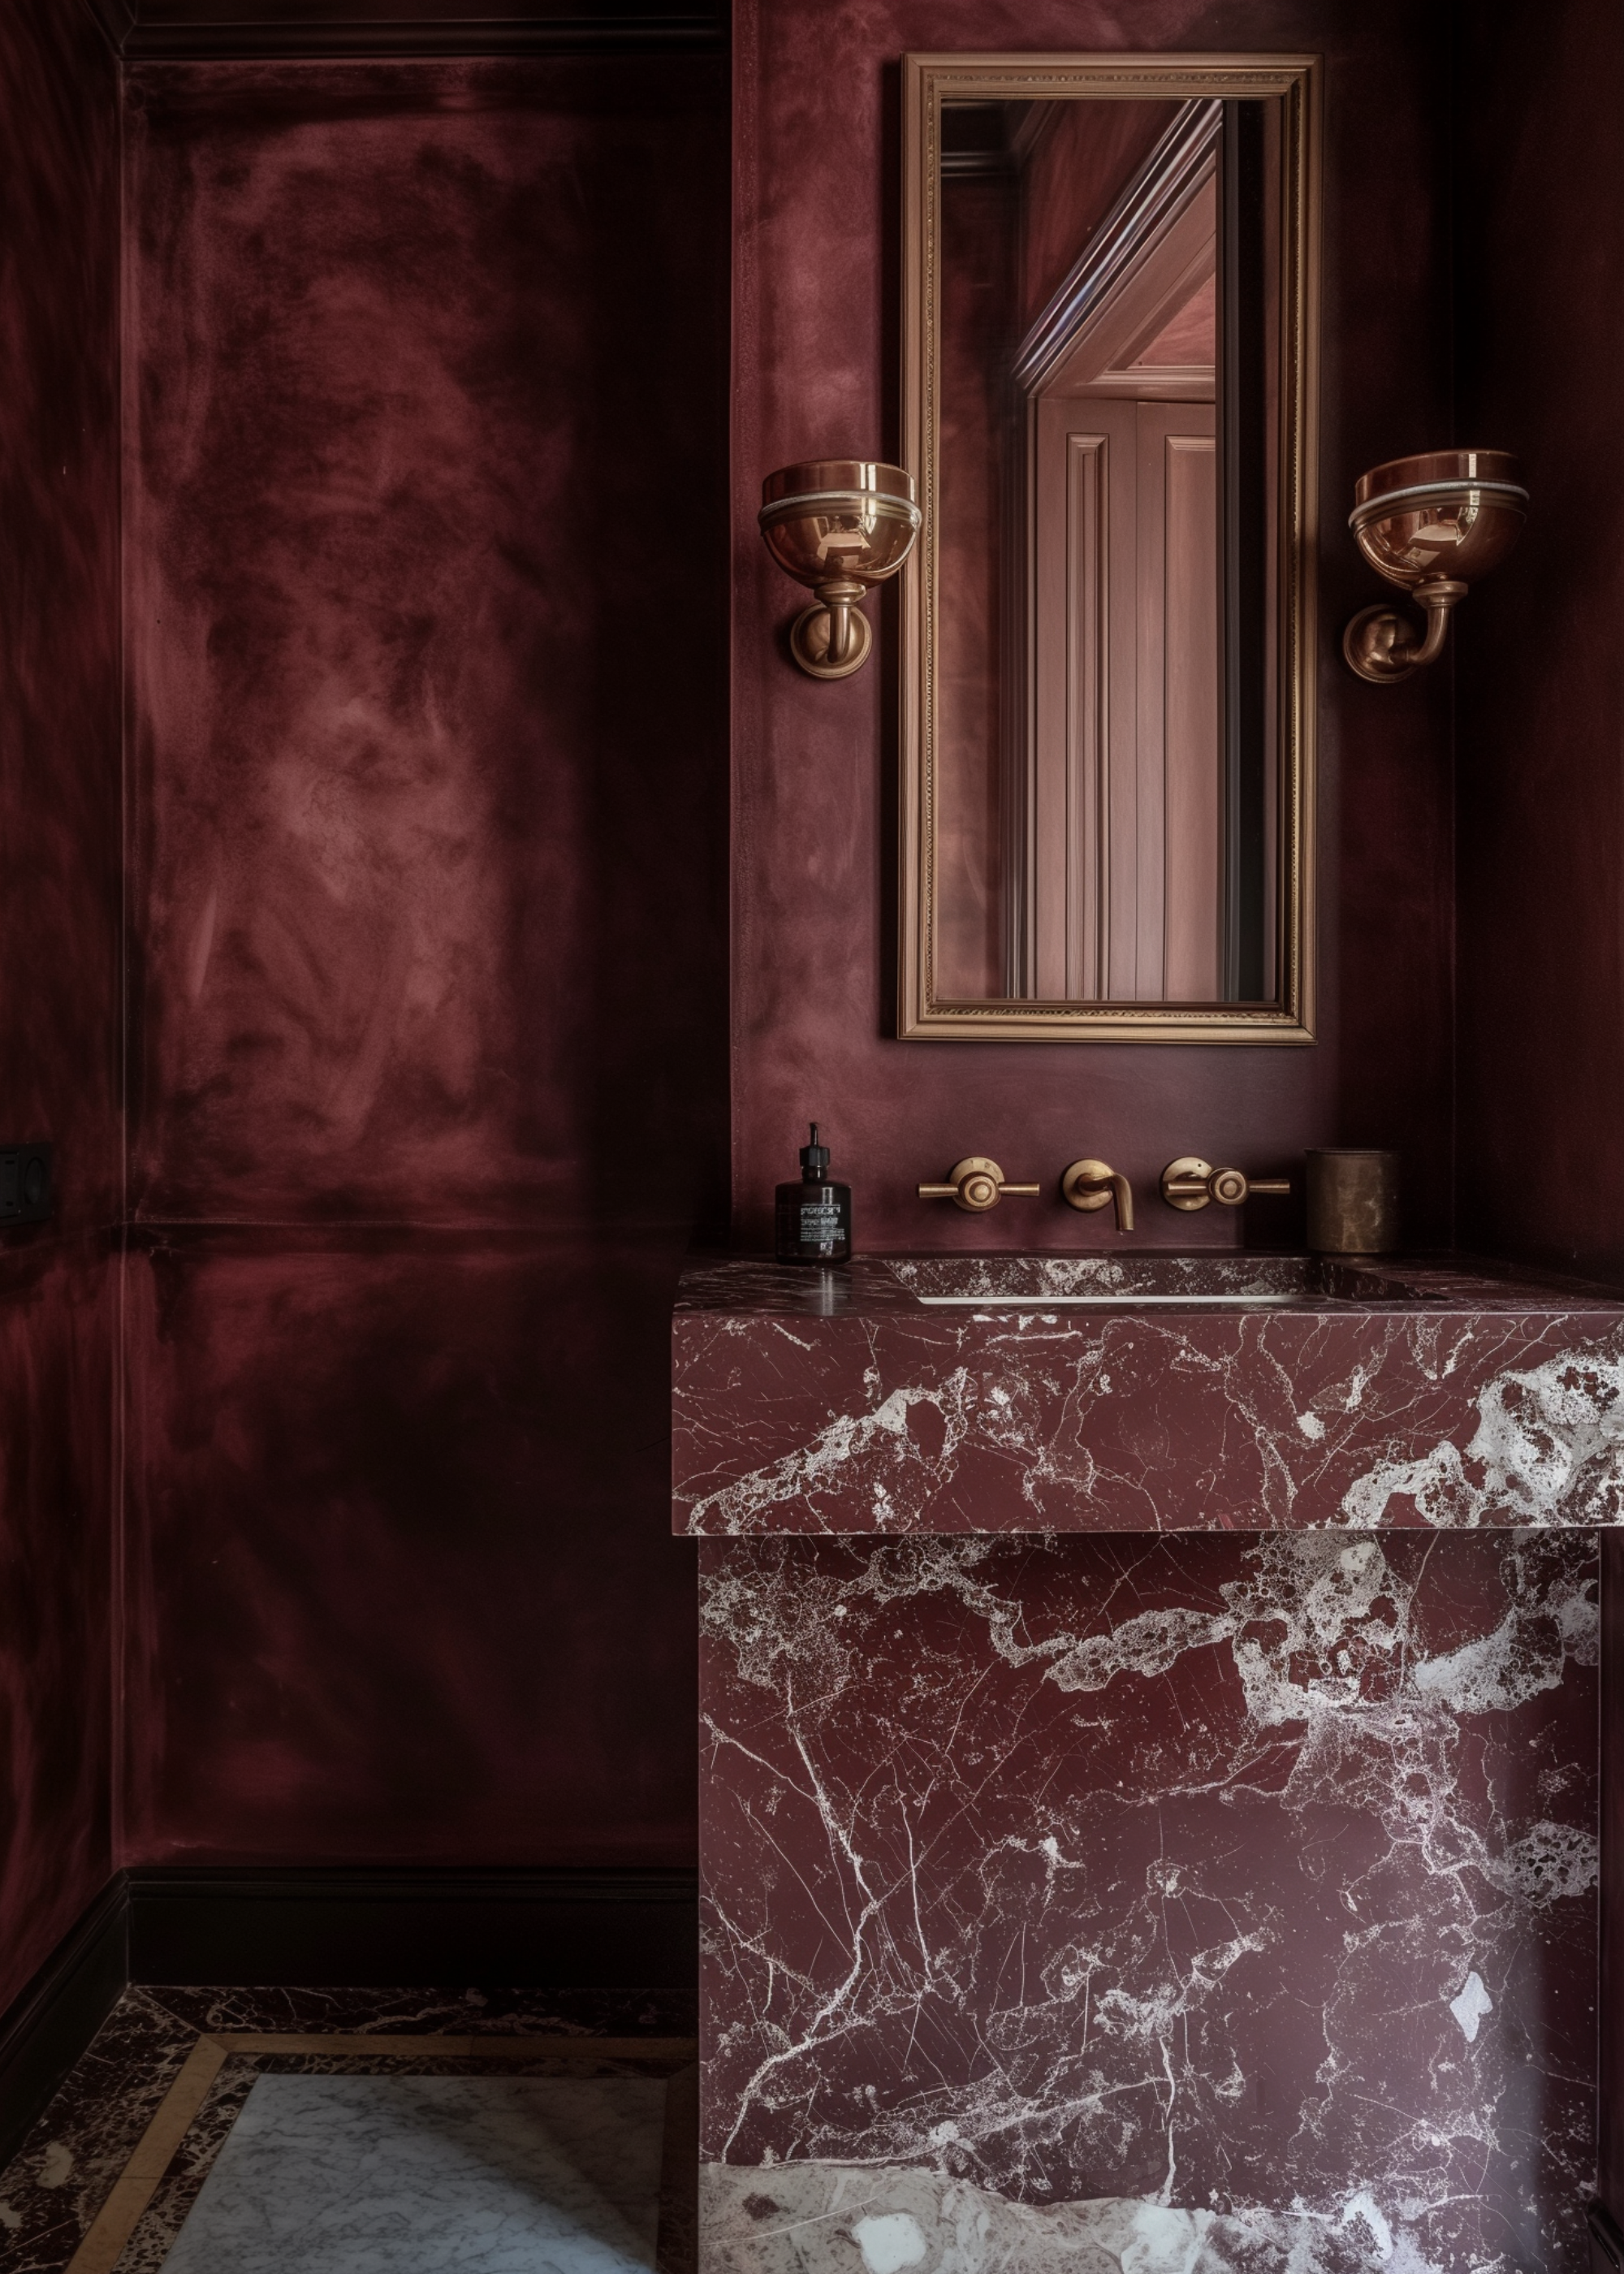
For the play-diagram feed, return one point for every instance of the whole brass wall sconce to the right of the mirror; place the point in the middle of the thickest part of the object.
(1434, 526)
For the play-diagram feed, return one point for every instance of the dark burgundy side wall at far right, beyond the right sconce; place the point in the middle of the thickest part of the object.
(1541, 672)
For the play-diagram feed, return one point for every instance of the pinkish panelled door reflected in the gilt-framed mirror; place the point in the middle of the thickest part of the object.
(1125, 865)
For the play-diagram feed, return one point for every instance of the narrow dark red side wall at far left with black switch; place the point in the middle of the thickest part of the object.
(60, 958)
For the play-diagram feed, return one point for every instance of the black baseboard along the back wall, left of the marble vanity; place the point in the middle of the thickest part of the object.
(415, 1929)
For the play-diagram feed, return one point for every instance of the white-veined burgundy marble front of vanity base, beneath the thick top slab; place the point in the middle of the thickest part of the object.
(1254, 1873)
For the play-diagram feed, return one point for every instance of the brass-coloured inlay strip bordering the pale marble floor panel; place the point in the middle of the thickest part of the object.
(154, 2155)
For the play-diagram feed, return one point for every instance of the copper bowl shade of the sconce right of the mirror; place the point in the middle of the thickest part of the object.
(1439, 515)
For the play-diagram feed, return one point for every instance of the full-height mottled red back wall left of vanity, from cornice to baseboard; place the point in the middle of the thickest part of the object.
(426, 642)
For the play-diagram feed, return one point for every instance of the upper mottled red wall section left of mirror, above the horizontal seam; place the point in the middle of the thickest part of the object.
(426, 379)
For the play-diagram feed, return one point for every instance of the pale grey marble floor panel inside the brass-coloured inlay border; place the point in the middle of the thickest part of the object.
(415, 2175)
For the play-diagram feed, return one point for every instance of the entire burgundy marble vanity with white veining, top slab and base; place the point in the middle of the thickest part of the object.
(1150, 1750)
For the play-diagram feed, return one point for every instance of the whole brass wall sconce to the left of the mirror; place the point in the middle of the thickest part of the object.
(840, 526)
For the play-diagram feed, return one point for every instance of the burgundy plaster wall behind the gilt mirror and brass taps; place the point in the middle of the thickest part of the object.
(815, 372)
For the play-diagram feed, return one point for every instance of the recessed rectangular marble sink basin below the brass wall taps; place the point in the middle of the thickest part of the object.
(1150, 1281)
